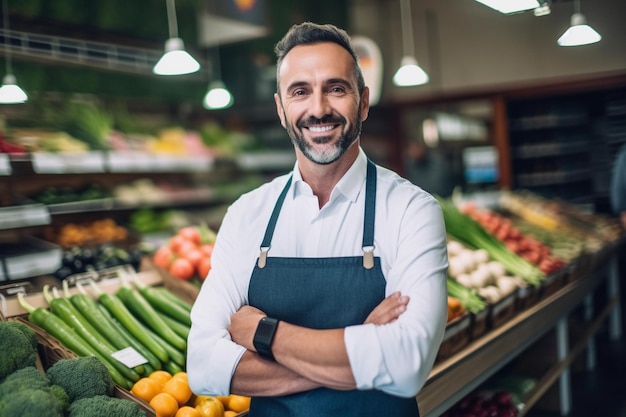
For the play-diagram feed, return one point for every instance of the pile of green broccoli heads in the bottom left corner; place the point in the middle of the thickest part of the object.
(73, 387)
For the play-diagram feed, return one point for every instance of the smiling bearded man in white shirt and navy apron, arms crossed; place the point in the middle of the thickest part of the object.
(327, 294)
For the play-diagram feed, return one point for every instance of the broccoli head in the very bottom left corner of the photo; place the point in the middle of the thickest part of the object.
(31, 402)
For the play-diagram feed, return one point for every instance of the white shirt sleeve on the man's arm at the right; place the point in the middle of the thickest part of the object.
(398, 357)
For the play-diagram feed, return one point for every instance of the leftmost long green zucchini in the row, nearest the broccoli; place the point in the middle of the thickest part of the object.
(56, 327)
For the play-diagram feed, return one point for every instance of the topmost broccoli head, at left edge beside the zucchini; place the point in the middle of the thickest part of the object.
(17, 348)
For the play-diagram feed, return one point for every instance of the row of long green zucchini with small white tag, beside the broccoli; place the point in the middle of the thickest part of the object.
(151, 320)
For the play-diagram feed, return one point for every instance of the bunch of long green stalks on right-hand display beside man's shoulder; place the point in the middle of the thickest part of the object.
(469, 232)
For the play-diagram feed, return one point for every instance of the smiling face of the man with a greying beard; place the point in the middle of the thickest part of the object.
(319, 102)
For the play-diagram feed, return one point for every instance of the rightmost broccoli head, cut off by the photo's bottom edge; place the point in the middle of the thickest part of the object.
(105, 406)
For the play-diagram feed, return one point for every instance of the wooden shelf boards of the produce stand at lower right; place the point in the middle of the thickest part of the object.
(460, 374)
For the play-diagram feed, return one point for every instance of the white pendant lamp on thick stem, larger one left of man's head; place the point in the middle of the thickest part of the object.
(175, 60)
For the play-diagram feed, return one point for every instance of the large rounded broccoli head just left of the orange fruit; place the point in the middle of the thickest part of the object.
(81, 377)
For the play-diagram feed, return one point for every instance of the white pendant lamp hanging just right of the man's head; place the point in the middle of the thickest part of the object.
(409, 73)
